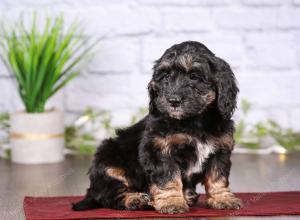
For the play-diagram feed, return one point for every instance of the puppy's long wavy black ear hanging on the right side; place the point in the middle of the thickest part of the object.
(226, 86)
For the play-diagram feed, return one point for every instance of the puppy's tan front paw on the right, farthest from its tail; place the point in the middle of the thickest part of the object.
(224, 202)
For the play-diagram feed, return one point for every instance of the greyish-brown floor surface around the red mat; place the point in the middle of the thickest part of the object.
(250, 173)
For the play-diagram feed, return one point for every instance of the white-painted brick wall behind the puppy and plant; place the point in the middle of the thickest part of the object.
(259, 38)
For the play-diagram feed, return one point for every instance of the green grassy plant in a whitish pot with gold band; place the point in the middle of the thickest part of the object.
(42, 62)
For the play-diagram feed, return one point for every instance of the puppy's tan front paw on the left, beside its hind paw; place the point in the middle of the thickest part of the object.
(173, 206)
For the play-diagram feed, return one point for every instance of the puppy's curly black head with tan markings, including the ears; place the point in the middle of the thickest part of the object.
(187, 79)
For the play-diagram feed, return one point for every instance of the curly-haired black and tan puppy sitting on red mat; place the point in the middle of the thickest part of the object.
(186, 139)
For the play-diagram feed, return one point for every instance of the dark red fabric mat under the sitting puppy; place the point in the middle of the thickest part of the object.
(256, 204)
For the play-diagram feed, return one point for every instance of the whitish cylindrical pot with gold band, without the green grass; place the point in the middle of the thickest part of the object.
(37, 137)
